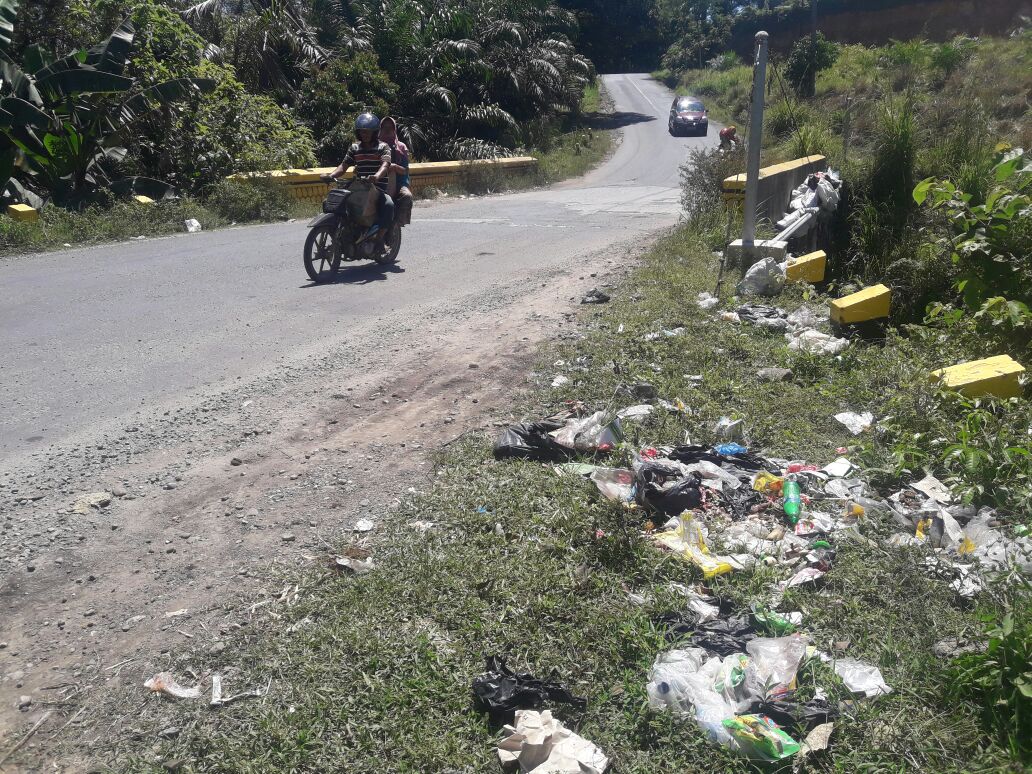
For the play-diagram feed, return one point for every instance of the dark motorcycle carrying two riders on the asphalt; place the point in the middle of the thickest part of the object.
(346, 232)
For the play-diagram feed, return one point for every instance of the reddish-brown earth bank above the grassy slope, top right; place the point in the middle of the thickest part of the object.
(878, 22)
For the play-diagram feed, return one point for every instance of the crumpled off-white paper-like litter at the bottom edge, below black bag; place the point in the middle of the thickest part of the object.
(540, 745)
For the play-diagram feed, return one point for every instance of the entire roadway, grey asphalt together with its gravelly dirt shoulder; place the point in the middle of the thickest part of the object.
(235, 421)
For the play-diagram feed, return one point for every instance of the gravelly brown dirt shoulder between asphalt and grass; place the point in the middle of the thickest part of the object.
(203, 503)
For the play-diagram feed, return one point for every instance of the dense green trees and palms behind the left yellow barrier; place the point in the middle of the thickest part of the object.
(283, 81)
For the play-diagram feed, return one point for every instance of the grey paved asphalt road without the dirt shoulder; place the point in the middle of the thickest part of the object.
(91, 336)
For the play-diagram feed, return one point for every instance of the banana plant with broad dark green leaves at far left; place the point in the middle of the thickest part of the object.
(63, 122)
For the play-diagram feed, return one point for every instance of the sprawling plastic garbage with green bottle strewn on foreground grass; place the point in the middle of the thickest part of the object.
(728, 508)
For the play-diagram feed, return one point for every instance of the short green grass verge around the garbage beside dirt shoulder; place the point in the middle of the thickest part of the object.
(373, 673)
